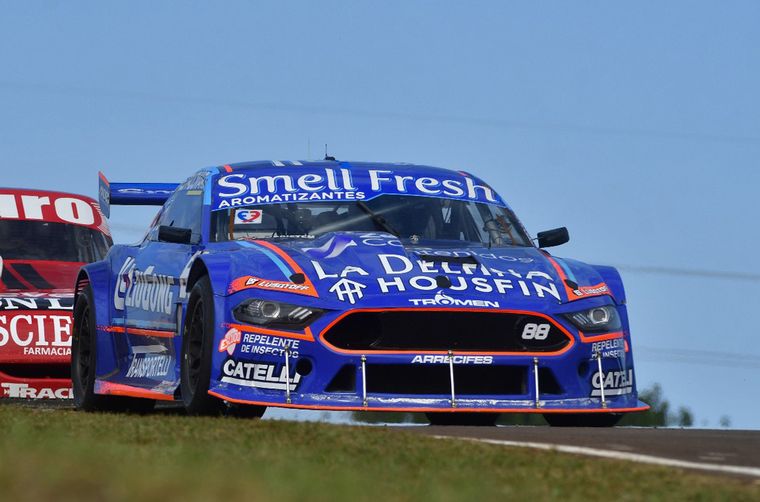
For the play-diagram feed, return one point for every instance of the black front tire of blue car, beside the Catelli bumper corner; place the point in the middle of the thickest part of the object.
(197, 350)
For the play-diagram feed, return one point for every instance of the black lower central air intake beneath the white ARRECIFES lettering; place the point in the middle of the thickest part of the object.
(435, 379)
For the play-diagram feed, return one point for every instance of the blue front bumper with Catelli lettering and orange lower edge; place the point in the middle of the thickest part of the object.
(300, 370)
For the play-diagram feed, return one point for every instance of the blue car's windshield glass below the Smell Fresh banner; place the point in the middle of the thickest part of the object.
(407, 217)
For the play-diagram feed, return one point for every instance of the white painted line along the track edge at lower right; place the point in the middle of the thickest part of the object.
(618, 455)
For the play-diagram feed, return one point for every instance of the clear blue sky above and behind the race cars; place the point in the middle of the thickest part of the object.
(637, 125)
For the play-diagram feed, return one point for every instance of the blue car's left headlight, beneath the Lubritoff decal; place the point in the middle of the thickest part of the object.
(275, 314)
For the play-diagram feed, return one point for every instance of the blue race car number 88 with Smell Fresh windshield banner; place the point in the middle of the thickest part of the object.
(348, 286)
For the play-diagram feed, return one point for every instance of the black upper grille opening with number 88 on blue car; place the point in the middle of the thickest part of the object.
(443, 330)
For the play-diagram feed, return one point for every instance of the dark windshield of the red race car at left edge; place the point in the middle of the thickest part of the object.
(43, 240)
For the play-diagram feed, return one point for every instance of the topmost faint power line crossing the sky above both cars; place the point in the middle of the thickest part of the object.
(332, 110)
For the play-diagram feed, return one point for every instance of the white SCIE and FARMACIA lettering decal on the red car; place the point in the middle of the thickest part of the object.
(31, 333)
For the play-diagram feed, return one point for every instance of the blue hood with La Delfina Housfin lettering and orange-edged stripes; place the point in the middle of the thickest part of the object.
(353, 269)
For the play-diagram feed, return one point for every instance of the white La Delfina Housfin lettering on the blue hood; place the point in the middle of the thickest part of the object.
(402, 274)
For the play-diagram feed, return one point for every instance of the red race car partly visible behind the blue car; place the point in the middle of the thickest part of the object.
(44, 238)
